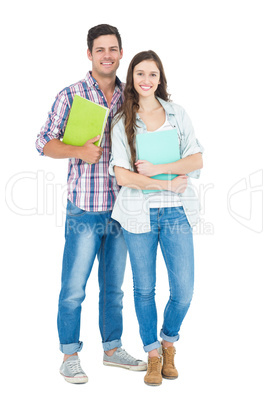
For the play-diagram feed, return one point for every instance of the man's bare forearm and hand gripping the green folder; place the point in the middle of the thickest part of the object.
(89, 152)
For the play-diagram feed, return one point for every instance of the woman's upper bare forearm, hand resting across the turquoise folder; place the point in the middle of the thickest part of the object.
(182, 166)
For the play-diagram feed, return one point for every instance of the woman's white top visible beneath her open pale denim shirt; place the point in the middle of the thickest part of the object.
(163, 199)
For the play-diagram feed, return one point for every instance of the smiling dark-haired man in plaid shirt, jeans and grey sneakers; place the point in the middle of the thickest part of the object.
(89, 229)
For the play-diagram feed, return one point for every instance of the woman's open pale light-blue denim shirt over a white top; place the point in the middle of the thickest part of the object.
(132, 208)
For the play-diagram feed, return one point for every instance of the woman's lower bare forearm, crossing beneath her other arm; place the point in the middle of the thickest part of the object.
(126, 178)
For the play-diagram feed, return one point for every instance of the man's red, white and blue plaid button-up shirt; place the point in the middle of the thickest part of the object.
(90, 187)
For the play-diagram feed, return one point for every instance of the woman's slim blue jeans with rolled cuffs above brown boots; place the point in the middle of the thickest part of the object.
(169, 228)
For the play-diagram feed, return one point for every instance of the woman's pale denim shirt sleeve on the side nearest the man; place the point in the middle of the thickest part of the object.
(120, 152)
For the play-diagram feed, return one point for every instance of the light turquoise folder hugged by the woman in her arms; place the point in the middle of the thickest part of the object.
(159, 147)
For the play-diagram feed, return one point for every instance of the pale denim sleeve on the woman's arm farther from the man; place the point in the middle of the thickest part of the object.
(189, 143)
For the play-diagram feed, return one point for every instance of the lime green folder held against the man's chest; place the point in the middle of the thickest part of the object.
(86, 120)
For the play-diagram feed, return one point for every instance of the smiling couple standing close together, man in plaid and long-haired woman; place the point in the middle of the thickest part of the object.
(96, 200)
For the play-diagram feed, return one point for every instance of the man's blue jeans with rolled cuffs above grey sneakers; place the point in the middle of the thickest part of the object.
(89, 234)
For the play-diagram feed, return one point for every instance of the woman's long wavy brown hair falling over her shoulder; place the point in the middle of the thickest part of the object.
(131, 99)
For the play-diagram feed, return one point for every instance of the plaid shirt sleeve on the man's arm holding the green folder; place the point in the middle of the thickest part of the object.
(56, 122)
